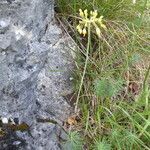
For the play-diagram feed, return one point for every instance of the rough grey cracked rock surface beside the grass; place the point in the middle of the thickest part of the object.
(35, 67)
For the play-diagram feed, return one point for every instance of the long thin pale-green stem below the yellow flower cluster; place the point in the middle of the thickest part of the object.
(85, 67)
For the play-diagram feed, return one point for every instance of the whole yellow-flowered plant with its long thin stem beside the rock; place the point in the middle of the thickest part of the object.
(86, 23)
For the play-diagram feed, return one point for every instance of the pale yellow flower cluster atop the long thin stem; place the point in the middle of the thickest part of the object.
(92, 20)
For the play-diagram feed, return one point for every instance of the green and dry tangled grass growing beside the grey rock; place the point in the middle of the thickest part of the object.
(114, 100)
